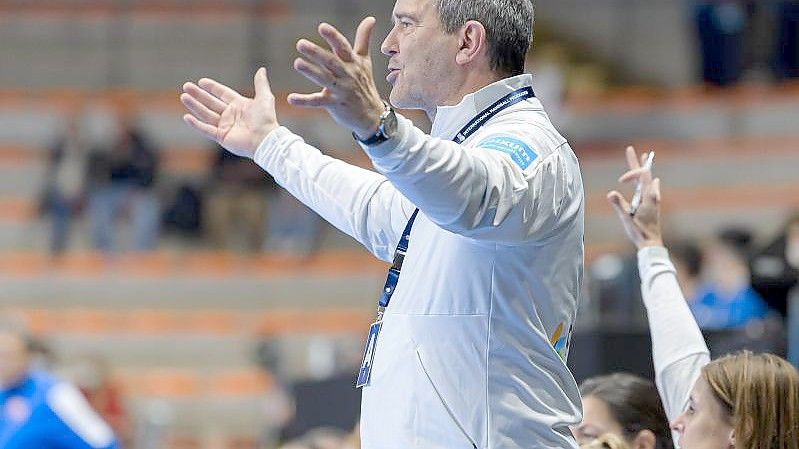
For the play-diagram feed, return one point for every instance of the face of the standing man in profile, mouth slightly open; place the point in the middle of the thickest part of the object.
(421, 56)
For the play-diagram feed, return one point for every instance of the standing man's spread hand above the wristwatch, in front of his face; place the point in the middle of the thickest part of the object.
(344, 72)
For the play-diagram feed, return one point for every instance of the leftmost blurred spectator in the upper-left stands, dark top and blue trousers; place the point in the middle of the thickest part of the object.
(63, 191)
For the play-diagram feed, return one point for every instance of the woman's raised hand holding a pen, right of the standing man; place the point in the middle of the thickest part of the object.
(643, 228)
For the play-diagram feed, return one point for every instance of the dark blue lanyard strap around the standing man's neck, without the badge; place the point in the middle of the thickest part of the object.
(476, 123)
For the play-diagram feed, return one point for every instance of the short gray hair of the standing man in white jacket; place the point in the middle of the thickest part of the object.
(508, 24)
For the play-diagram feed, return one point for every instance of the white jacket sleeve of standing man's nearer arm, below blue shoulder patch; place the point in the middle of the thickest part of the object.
(481, 193)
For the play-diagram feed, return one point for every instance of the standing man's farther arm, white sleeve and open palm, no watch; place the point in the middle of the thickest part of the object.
(361, 203)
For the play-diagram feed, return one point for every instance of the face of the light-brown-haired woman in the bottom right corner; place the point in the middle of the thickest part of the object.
(704, 424)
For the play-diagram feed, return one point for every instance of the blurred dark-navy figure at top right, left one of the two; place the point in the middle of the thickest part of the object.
(720, 26)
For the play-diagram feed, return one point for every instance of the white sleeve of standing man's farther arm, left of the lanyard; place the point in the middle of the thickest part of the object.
(359, 202)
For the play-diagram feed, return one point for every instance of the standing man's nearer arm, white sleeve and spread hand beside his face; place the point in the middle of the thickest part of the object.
(480, 193)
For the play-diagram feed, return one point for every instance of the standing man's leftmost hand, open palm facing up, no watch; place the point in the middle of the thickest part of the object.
(236, 122)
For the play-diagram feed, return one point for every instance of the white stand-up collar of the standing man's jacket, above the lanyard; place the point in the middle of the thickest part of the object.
(450, 119)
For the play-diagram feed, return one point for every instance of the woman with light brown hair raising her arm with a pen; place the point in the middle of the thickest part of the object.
(741, 401)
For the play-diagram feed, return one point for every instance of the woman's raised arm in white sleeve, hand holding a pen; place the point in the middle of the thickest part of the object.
(678, 349)
